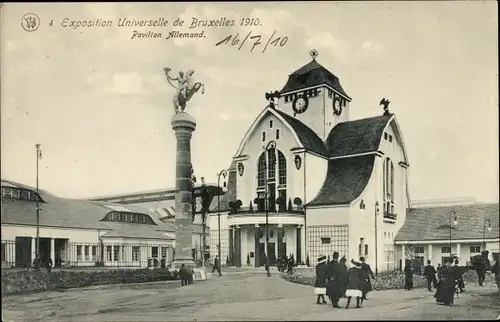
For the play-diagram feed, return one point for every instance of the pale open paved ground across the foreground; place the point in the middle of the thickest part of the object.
(249, 296)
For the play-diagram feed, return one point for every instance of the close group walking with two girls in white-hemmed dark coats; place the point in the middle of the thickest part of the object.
(335, 280)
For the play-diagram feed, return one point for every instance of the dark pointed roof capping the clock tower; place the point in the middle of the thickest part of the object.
(312, 74)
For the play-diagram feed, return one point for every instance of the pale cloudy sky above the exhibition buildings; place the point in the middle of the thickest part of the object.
(100, 106)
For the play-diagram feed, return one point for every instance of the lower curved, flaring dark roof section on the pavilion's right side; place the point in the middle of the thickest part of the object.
(346, 179)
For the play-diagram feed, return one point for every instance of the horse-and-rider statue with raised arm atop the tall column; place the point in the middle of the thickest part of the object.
(186, 87)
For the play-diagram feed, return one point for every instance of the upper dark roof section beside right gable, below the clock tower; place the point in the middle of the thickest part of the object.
(357, 136)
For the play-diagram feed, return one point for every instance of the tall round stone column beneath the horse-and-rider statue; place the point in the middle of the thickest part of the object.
(183, 124)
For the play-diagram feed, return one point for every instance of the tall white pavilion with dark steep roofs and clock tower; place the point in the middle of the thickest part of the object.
(331, 183)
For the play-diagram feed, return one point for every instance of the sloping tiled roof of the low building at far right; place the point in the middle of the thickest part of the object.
(432, 223)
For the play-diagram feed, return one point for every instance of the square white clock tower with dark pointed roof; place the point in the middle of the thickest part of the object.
(314, 96)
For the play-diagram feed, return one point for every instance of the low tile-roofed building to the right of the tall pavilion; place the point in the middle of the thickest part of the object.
(438, 230)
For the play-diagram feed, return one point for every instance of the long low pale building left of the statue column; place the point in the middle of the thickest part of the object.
(82, 232)
